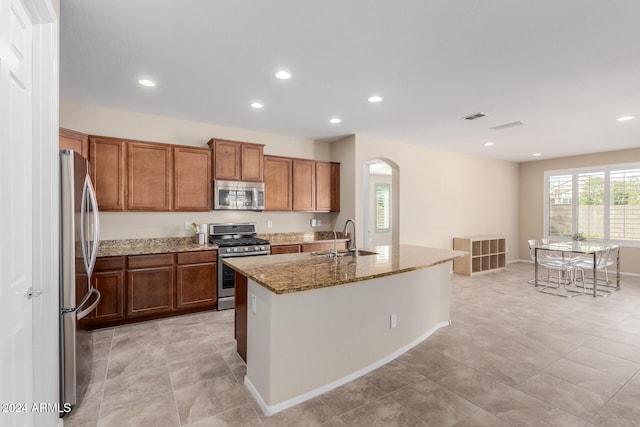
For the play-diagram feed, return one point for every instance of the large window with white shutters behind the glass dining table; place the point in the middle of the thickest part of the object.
(601, 203)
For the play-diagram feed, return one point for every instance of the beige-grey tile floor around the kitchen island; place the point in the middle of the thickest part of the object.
(512, 357)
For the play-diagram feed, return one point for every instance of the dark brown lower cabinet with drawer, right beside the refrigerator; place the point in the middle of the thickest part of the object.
(108, 279)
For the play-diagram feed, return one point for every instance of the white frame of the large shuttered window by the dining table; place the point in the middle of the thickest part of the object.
(575, 172)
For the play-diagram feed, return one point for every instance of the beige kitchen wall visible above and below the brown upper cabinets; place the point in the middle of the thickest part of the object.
(125, 124)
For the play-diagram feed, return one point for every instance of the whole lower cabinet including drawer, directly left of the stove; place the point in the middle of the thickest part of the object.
(196, 279)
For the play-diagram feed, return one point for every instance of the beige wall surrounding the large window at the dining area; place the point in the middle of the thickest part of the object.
(531, 218)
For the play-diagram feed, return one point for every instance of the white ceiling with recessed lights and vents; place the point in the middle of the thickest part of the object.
(568, 68)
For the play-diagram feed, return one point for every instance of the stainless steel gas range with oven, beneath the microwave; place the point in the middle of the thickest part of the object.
(234, 240)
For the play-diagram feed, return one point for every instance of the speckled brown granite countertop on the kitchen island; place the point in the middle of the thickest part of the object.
(289, 273)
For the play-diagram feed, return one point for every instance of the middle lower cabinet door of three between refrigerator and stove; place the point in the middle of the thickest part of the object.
(150, 291)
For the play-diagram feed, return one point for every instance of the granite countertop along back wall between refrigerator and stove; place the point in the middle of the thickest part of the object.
(158, 245)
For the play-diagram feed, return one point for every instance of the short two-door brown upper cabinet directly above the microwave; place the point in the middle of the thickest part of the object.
(237, 161)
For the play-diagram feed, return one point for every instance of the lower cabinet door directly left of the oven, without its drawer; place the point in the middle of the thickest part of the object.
(196, 285)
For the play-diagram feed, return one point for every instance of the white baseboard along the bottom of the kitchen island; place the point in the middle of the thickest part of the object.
(269, 410)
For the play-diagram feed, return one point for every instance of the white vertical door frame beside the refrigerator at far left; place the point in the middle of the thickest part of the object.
(45, 15)
